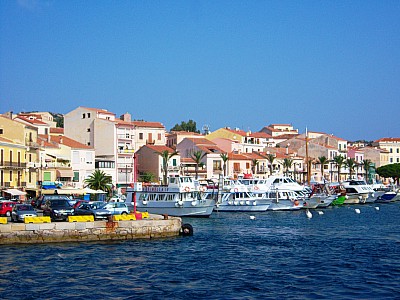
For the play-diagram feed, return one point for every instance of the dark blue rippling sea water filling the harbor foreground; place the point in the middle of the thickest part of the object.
(278, 255)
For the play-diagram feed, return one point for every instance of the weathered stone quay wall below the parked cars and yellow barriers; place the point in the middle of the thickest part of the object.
(20, 233)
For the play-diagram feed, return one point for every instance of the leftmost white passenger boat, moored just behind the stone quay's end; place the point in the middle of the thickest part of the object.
(182, 197)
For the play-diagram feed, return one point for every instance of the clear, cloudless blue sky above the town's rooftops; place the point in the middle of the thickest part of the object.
(333, 66)
